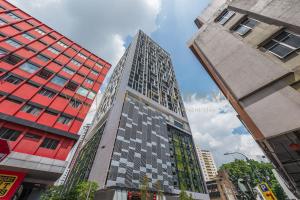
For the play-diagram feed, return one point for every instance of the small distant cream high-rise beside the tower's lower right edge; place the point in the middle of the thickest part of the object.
(207, 164)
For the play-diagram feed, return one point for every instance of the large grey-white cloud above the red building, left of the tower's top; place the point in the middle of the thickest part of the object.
(100, 26)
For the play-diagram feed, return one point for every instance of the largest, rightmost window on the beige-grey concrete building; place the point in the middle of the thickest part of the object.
(283, 44)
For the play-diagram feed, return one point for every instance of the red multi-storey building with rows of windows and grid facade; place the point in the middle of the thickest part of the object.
(47, 85)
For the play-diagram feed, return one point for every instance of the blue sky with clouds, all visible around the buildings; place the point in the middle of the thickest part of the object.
(106, 27)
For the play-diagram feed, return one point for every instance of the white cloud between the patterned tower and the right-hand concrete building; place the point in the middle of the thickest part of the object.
(213, 121)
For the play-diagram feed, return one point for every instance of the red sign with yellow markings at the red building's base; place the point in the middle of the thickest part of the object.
(9, 183)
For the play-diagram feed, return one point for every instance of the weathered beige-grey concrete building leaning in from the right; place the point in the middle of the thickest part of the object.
(251, 50)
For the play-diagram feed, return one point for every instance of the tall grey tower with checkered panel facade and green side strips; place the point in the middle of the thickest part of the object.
(141, 130)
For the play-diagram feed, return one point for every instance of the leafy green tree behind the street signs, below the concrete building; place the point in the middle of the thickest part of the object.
(255, 172)
